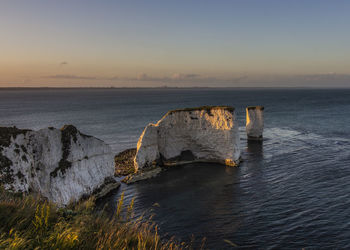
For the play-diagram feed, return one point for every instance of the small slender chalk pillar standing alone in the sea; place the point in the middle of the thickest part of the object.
(255, 122)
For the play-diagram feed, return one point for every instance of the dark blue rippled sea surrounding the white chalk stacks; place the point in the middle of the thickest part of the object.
(291, 191)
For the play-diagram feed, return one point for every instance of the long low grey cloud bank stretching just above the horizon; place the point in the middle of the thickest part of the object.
(330, 79)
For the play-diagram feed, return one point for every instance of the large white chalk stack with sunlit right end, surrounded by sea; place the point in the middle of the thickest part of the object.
(204, 134)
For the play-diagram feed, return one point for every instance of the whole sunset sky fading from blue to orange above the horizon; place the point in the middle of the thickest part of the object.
(182, 43)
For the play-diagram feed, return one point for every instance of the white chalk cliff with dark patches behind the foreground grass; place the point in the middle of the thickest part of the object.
(62, 165)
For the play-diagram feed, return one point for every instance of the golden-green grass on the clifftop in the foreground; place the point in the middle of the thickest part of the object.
(31, 223)
